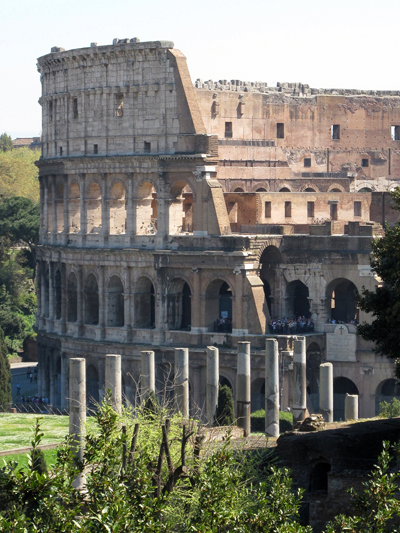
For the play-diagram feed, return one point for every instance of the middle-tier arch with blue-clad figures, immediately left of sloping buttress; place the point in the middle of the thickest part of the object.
(219, 306)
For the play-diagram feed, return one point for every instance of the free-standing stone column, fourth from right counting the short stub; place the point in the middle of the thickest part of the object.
(271, 388)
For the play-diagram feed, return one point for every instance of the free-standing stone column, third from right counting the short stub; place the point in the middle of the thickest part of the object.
(299, 380)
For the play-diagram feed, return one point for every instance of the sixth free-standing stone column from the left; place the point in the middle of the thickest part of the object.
(243, 393)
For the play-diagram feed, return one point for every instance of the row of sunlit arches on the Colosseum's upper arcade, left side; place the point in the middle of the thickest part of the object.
(91, 211)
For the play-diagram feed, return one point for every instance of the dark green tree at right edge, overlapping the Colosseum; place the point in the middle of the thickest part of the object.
(384, 302)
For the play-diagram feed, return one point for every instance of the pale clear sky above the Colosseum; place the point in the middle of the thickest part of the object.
(325, 43)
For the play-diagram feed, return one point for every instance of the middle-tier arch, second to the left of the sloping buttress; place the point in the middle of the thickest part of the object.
(179, 304)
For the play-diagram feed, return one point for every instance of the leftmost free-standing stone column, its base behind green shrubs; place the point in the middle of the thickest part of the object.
(77, 410)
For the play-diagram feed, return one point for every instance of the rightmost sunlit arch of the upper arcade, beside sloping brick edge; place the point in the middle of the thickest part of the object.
(181, 209)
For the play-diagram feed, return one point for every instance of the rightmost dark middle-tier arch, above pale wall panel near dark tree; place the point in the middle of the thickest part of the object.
(342, 300)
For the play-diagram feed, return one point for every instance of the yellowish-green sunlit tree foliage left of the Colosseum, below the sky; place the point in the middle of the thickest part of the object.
(19, 174)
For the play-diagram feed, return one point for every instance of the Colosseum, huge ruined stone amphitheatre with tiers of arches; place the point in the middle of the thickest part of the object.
(181, 214)
